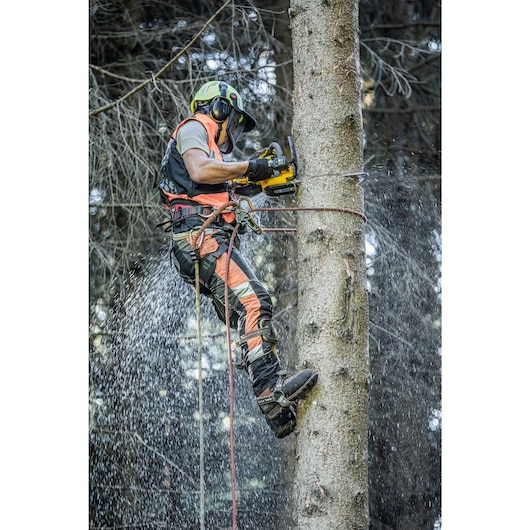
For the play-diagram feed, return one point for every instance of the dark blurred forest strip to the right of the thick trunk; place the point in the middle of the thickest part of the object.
(400, 53)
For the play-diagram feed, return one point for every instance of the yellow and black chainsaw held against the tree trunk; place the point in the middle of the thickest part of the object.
(283, 182)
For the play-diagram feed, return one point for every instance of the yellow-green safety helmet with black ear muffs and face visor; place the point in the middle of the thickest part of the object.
(222, 101)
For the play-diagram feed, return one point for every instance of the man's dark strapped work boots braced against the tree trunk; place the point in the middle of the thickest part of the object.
(279, 402)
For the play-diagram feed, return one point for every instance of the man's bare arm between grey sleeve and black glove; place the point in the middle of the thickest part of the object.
(205, 170)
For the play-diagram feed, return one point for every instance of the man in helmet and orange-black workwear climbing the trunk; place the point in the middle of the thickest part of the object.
(194, 186)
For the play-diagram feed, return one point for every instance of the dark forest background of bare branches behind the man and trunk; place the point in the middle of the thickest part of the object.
(130, 43)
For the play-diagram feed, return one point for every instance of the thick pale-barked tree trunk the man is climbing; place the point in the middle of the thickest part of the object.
(331, 485)
